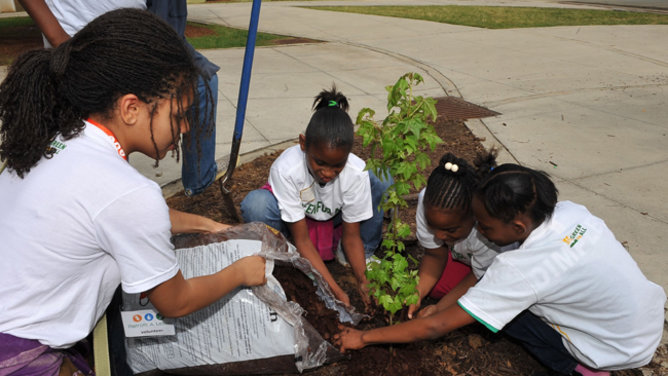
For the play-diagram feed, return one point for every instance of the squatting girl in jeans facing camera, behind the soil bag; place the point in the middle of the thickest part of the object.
(318, 192)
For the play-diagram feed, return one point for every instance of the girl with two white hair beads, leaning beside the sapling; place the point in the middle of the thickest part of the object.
(444, 221)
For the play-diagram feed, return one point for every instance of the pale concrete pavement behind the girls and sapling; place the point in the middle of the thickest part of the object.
(587, 104)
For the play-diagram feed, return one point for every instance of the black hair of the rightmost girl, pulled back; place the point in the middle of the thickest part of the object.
(511, 189)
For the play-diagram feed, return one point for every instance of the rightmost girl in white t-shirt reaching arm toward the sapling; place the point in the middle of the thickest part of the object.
(570, 292)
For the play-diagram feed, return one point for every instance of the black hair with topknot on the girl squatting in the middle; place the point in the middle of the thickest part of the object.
(330, 124)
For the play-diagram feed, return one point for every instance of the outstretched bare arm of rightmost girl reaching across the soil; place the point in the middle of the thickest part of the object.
(409, 331)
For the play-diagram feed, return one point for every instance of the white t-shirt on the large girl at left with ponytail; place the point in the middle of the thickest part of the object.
(72, 229)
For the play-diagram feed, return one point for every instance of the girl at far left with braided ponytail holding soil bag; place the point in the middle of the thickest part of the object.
(77, 219)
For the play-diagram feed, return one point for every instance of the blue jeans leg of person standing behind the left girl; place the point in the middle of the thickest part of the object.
(198, 171)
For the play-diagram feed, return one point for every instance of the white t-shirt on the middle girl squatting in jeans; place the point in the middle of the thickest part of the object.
(300, 196)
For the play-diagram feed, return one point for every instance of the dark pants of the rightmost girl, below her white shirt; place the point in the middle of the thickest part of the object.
(541, 341)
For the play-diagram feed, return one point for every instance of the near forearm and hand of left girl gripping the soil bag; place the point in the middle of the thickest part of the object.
(178, 296)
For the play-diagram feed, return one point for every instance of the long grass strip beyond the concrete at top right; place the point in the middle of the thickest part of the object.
(506, 17)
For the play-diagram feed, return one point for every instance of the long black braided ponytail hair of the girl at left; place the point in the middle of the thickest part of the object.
(50, 92)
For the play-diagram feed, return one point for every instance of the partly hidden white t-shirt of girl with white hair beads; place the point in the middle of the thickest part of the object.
(474, 250)
